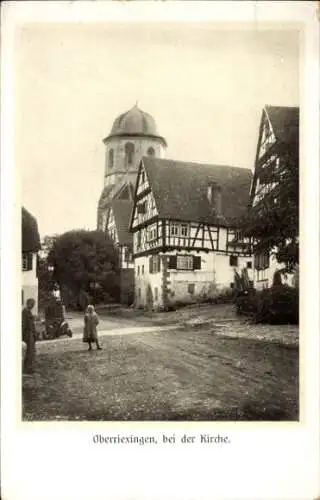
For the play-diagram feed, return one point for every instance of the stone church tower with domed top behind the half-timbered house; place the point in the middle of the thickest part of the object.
(133, 135)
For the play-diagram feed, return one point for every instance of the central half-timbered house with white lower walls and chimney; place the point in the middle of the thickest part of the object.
(184, 225)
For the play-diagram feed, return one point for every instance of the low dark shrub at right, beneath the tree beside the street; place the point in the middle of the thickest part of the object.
(276, 305)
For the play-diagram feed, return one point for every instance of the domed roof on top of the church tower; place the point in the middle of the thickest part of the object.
(135, 122)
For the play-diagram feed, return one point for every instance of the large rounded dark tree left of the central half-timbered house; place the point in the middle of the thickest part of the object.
(85, 262)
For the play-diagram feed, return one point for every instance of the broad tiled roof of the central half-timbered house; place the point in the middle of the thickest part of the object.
(180, 190)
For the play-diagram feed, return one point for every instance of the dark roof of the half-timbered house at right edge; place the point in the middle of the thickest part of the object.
(285, 123)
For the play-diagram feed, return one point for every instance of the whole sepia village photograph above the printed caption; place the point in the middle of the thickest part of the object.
(159, 168)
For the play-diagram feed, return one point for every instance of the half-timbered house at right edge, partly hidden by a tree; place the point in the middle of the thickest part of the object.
(277, 151)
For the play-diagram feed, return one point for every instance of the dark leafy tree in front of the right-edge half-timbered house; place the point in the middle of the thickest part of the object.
(274, 221)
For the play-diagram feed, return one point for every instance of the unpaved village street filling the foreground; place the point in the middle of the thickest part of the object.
(194, 364)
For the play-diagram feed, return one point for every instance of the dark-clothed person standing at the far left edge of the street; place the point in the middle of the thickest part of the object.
(29, 336)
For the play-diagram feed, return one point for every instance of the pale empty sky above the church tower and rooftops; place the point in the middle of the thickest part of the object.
(204, 86)
